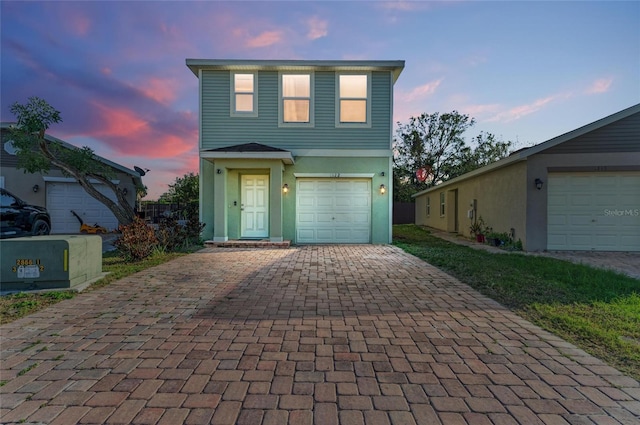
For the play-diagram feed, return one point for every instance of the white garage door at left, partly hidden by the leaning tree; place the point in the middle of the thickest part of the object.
(62, 197)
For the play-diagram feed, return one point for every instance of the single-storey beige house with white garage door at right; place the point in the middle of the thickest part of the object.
(578, 191)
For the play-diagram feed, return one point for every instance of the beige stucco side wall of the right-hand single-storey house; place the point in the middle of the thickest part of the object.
(501, 199)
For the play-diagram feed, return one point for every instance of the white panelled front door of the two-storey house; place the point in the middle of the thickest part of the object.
(255, 207)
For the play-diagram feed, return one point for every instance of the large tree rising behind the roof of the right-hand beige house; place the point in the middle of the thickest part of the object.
(435, 142)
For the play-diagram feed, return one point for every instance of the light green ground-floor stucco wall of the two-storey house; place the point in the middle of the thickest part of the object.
(223, 223)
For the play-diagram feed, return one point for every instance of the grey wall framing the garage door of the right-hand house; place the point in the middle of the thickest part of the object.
(539, 167)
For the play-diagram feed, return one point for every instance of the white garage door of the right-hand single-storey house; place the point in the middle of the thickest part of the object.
(599, 212)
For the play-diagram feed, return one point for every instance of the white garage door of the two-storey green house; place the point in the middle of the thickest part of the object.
(333, 211)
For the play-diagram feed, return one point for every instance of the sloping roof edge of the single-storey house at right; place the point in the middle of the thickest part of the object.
(523, 154)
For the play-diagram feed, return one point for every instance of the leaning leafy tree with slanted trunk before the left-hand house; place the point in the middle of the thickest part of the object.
(37, 154)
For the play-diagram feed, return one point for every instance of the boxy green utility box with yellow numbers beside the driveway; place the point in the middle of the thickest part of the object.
(49, 262)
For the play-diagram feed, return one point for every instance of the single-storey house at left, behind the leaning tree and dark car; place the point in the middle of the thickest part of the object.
(61, 194)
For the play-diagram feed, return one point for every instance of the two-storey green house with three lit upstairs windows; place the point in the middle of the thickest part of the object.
(296, 150)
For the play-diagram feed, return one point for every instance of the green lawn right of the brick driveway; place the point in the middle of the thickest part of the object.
(597, 310)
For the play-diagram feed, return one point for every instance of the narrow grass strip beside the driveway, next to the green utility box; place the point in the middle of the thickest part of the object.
(15, 306)
